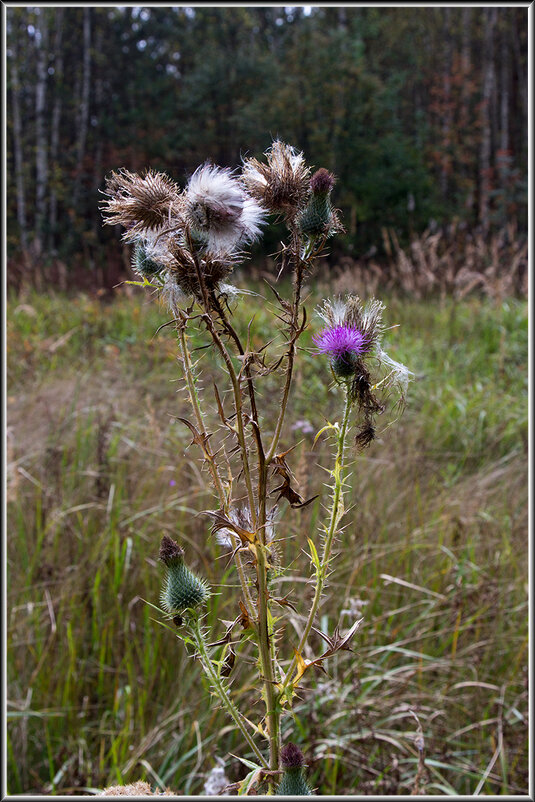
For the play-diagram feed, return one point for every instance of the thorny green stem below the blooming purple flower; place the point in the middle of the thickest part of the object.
(322, 573)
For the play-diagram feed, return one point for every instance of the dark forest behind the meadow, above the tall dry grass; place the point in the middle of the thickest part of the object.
(420, 112)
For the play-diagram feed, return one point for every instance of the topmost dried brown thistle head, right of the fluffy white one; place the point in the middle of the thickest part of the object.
(281, 185)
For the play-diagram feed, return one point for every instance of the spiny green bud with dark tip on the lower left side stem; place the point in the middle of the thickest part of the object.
(182, 589)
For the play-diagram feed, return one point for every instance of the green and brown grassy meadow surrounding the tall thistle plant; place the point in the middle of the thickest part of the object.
(434, 556)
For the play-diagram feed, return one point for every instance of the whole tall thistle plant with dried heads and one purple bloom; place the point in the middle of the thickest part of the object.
(186, 244)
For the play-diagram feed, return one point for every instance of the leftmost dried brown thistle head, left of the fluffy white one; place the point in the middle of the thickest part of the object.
(140, 203)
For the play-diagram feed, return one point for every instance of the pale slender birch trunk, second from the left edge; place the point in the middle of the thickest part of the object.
(41, 149)
